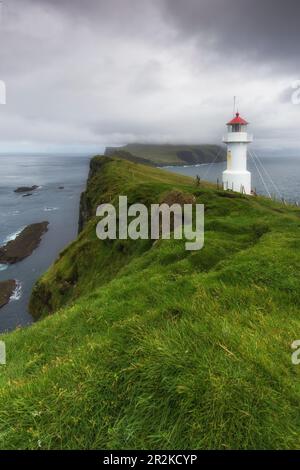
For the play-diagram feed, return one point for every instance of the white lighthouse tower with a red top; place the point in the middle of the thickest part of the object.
(236, 177)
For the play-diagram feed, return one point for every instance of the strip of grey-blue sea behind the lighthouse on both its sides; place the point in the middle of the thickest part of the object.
(276, 176)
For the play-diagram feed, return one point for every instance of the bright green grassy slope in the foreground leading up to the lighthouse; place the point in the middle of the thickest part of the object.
(157, 347)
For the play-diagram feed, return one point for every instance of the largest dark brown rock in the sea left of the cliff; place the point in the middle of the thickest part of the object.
(24, 244)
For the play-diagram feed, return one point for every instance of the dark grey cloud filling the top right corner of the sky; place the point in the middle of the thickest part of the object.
(265, 30)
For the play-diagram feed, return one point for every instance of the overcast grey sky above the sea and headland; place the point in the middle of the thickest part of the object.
(82, 74)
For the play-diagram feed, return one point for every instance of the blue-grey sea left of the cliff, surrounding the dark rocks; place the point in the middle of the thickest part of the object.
(58, 206)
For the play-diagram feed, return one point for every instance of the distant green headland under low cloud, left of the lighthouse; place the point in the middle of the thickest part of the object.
(168, 154)
